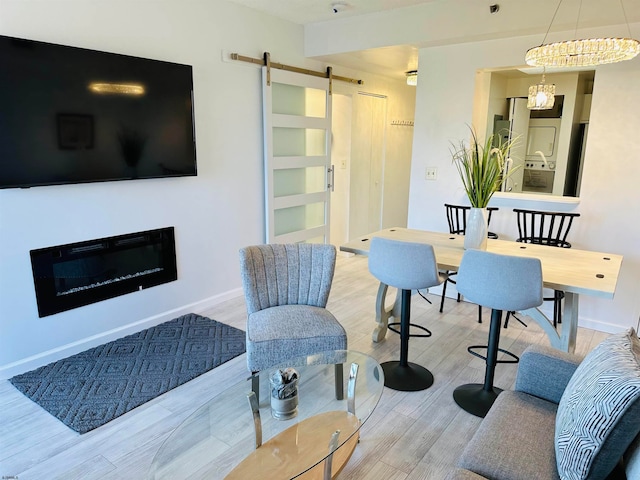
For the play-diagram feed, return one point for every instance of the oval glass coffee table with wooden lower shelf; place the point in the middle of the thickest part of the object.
(233, 437)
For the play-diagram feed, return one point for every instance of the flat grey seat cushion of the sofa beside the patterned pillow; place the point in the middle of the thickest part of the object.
(515, 440)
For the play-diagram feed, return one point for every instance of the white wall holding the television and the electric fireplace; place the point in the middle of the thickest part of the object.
(214, 214)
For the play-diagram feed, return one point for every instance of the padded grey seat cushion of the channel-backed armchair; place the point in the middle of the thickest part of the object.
(266, 347)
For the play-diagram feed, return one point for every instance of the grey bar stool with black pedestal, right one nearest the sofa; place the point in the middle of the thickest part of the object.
(500, 282)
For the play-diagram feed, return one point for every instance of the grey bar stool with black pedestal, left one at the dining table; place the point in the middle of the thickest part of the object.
(406, 266)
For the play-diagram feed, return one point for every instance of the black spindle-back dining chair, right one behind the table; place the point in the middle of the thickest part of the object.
(545, 228)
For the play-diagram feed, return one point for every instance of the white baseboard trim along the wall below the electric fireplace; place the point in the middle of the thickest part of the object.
(29, 363)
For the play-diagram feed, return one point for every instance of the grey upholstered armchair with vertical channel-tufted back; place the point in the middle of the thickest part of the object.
(286, 289)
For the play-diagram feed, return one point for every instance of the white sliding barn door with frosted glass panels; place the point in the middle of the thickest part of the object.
(298, 174)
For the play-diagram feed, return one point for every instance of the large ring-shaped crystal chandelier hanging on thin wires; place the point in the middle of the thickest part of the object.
(583, 53)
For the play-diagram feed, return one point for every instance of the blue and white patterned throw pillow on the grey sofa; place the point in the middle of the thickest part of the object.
(599, 412)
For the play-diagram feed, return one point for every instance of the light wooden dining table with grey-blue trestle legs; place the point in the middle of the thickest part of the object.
(572, 271)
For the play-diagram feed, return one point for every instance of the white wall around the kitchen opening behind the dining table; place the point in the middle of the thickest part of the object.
(609, 195)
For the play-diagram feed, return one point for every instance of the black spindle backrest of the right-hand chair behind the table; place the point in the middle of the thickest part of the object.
(544, 228)
